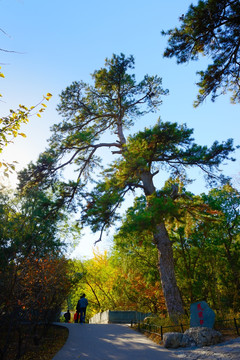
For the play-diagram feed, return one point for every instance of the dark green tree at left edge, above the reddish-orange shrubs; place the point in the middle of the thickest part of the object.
(30, 223)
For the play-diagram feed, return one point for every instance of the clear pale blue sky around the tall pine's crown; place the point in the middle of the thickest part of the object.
(57, 42)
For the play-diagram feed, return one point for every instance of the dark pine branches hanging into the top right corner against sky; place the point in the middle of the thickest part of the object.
(210, 28)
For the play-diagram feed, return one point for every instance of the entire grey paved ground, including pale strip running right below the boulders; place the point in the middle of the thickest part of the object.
(119, 342)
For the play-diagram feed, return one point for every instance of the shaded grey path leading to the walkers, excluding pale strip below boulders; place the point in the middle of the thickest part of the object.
(109, 342)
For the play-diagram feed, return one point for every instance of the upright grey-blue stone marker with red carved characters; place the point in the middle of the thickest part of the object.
(201, 315)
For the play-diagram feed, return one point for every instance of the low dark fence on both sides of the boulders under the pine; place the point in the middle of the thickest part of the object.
(227, 327)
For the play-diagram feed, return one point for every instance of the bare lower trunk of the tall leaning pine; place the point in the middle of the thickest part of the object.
(171, 292)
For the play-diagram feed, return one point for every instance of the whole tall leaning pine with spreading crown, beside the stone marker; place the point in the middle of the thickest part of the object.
(92, 116)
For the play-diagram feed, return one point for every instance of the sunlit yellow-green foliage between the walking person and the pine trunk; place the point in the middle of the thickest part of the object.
(116, 281)
